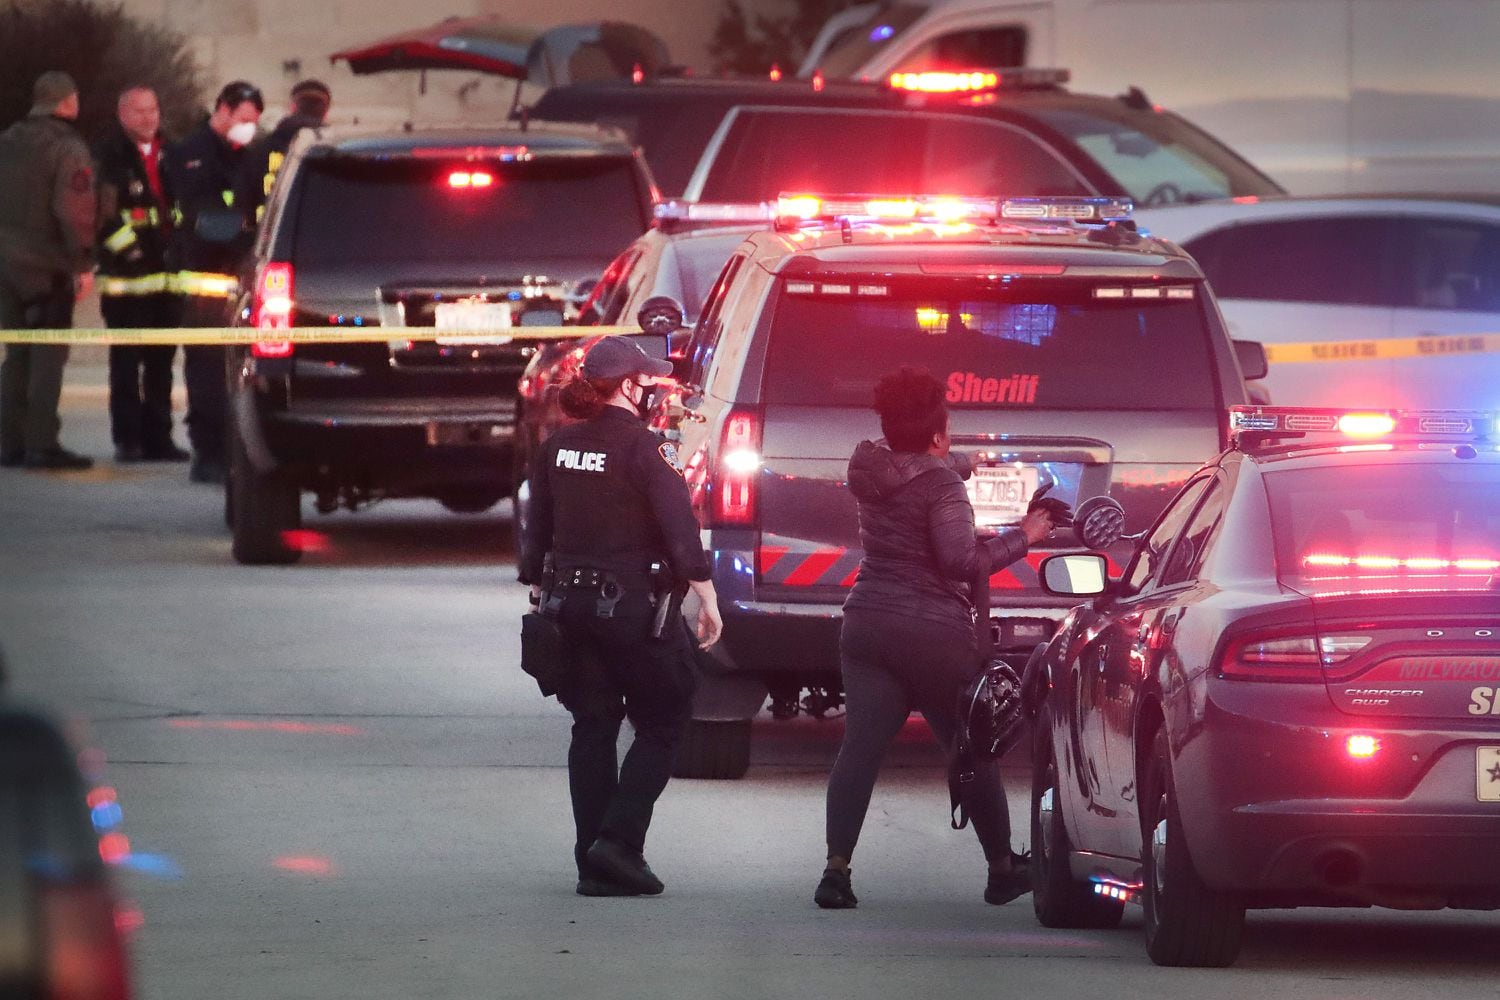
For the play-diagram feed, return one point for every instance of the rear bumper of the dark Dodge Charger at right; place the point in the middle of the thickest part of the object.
(1277, 807)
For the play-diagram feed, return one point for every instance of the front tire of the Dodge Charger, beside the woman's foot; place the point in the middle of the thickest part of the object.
(1058, 899)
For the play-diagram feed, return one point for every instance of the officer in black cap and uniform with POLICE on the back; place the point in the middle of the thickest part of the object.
(610, 539)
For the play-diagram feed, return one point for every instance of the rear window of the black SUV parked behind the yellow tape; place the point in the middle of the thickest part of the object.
(359, 211)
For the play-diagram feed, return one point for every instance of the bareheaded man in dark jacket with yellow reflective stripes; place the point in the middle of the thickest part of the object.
(136, 289)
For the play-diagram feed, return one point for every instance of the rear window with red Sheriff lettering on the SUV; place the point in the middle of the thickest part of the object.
(1030, 346)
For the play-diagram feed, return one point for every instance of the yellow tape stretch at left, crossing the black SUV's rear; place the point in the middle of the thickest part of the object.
(308, 335)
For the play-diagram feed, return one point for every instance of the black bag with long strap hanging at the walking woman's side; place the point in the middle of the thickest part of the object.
(992, 719)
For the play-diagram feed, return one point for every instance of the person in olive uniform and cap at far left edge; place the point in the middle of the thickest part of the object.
(47, 232)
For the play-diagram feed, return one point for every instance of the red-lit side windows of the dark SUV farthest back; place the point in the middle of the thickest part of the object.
(881, 154)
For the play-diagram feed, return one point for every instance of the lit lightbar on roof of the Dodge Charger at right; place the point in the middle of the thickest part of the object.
(1250, 425)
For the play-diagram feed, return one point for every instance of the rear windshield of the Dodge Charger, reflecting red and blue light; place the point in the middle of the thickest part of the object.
(1387, 527)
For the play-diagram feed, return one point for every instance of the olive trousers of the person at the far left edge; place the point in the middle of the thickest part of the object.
(32, 374)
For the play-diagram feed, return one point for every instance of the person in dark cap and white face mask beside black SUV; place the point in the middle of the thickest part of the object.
(202, 170)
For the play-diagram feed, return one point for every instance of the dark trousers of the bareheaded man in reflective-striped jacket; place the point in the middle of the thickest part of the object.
(142, 376)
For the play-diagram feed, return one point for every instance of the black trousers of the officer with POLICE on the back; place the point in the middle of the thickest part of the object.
(619, 672)
